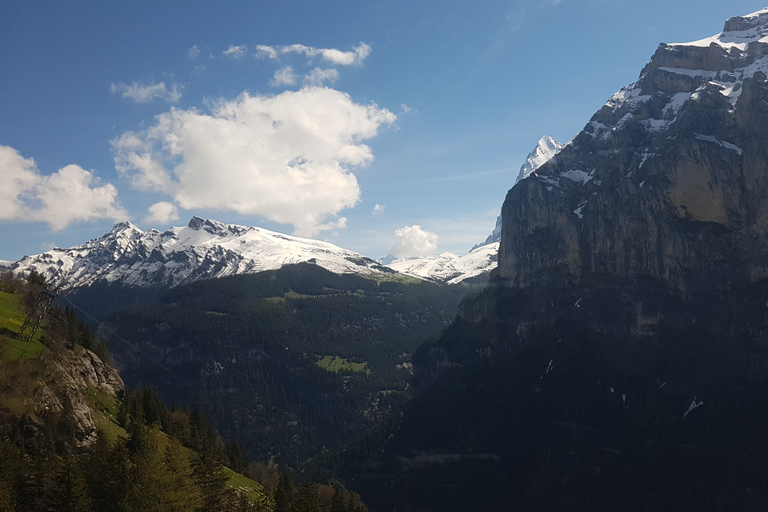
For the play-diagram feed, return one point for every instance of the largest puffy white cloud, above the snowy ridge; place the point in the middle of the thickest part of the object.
(286, 157)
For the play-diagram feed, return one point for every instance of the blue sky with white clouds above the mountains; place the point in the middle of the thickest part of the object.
(380, 126)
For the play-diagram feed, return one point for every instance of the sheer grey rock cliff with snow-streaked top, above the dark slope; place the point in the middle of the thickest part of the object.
(668, 179)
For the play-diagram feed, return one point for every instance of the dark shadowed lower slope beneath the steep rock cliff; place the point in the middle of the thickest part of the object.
(636, 400)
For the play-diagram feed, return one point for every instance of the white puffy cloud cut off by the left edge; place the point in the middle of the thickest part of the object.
(69, 195)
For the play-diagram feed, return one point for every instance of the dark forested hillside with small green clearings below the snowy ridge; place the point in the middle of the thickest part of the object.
(287, 361)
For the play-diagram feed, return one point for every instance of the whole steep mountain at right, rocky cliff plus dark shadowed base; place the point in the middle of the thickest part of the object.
(619, 358)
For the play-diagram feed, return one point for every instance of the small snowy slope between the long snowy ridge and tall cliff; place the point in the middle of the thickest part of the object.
(449, 267)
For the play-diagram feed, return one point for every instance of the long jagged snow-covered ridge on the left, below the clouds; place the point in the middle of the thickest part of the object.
(203, 249)
